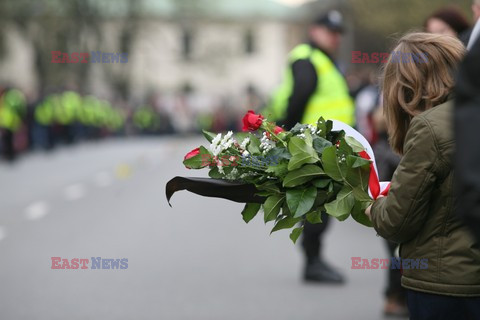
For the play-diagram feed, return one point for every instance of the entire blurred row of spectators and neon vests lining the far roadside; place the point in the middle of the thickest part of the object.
(67, 117)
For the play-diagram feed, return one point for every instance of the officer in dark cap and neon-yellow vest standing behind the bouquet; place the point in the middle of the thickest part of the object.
(314, 87)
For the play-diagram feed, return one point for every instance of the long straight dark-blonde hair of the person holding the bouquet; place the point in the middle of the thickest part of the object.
(411, 86)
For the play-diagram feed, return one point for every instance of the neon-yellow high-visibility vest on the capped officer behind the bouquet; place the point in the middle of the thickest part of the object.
(330, 100)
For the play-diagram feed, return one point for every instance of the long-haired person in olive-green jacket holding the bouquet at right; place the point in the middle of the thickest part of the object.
(418, 212)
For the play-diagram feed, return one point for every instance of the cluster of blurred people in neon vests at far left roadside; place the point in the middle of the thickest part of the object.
(59, 118)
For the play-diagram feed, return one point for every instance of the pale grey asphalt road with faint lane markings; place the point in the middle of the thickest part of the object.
(195, 261)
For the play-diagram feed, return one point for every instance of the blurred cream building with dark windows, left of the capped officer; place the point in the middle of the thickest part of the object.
(220, 49)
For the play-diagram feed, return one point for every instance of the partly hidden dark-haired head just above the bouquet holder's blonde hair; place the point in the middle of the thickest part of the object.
(449, 21)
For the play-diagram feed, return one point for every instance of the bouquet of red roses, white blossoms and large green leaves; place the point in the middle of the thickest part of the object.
(297, 174)
